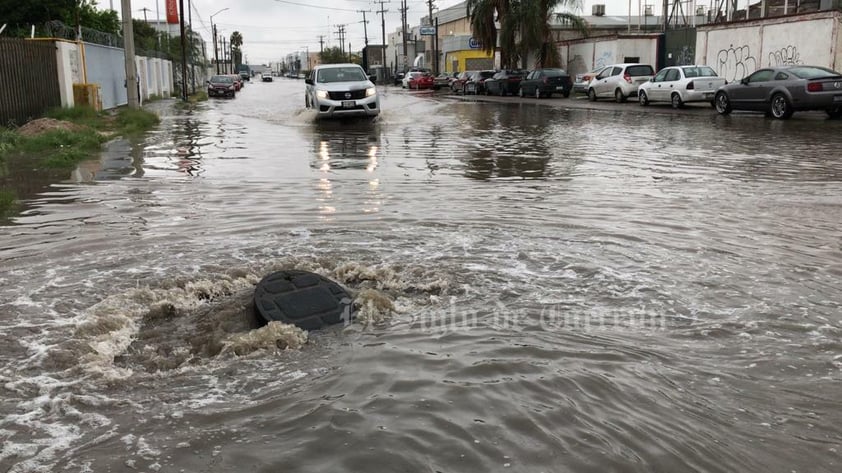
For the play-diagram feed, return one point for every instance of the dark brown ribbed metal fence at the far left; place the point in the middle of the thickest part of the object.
(29, 74)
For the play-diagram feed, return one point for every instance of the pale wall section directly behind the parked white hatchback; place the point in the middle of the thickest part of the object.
(587, 55)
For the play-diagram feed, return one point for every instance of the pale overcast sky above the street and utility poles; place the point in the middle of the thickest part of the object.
(272, 29)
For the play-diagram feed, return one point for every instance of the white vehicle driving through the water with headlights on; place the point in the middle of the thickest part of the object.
(341, 90)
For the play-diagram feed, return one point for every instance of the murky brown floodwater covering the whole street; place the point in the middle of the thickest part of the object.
(544, 289)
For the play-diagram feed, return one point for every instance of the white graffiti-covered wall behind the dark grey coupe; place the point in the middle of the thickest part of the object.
(737, 50)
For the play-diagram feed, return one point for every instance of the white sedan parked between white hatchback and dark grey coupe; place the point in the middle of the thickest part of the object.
(679, 85)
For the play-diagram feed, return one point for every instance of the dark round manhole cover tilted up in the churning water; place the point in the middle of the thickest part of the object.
(305, 299)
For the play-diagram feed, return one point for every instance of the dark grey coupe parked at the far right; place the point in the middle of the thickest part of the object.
(781, 91)
